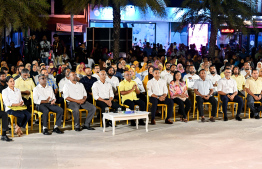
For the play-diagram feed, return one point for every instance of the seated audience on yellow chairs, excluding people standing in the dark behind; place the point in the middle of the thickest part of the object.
(169, 82)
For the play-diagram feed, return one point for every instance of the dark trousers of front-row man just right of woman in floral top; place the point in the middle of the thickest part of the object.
(211, 100)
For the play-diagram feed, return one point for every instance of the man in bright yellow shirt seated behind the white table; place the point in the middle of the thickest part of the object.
(129, 90)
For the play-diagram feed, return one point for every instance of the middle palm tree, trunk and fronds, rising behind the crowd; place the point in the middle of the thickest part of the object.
(157, 6)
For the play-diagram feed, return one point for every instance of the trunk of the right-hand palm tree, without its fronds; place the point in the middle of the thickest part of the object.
(213, 38)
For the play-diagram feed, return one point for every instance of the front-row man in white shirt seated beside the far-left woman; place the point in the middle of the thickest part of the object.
(44, 98)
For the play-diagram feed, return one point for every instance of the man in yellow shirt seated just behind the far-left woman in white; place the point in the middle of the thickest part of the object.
(26, 86)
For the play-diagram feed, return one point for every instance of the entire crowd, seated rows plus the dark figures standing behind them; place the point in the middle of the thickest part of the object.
(173, 75)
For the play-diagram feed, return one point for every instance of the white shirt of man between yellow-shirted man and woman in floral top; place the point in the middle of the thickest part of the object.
(157, 87)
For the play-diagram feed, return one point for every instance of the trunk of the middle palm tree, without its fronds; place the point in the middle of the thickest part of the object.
(116, 31)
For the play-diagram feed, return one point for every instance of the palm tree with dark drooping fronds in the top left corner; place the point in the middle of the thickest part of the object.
(22, 14)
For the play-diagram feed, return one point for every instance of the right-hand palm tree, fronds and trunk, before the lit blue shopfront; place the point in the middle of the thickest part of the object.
(234, 14)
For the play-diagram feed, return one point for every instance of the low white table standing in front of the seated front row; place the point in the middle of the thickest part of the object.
(118, 116)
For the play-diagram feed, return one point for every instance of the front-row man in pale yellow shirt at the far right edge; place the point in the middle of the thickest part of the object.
(254, 90)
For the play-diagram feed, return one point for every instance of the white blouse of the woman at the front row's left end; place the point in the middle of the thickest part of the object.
(11, 97)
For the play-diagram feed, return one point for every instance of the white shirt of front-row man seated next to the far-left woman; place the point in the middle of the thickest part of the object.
(42, 93)
